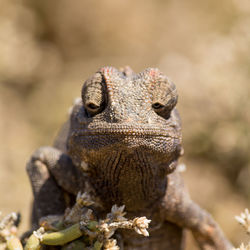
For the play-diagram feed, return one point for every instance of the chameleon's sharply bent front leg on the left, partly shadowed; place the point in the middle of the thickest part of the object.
(50, 172)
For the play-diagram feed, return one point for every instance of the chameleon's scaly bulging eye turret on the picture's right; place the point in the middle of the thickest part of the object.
(164, 98)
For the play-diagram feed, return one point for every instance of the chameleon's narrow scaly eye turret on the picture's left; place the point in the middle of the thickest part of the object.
(93, 95)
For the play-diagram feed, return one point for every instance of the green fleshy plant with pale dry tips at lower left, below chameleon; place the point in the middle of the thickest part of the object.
(99, 233)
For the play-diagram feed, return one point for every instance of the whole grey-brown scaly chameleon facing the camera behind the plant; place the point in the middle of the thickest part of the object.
(124, 139)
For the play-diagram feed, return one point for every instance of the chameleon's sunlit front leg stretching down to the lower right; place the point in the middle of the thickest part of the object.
(181, 210)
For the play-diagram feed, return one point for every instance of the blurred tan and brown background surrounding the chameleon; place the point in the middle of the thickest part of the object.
(48, 48)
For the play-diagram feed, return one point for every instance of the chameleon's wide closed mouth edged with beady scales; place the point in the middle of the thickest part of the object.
(127, 130)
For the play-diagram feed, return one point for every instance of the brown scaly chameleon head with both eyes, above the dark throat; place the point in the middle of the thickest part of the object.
(129, 113)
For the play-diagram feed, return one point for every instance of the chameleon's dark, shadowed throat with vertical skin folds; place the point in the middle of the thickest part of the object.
(128, 179)
